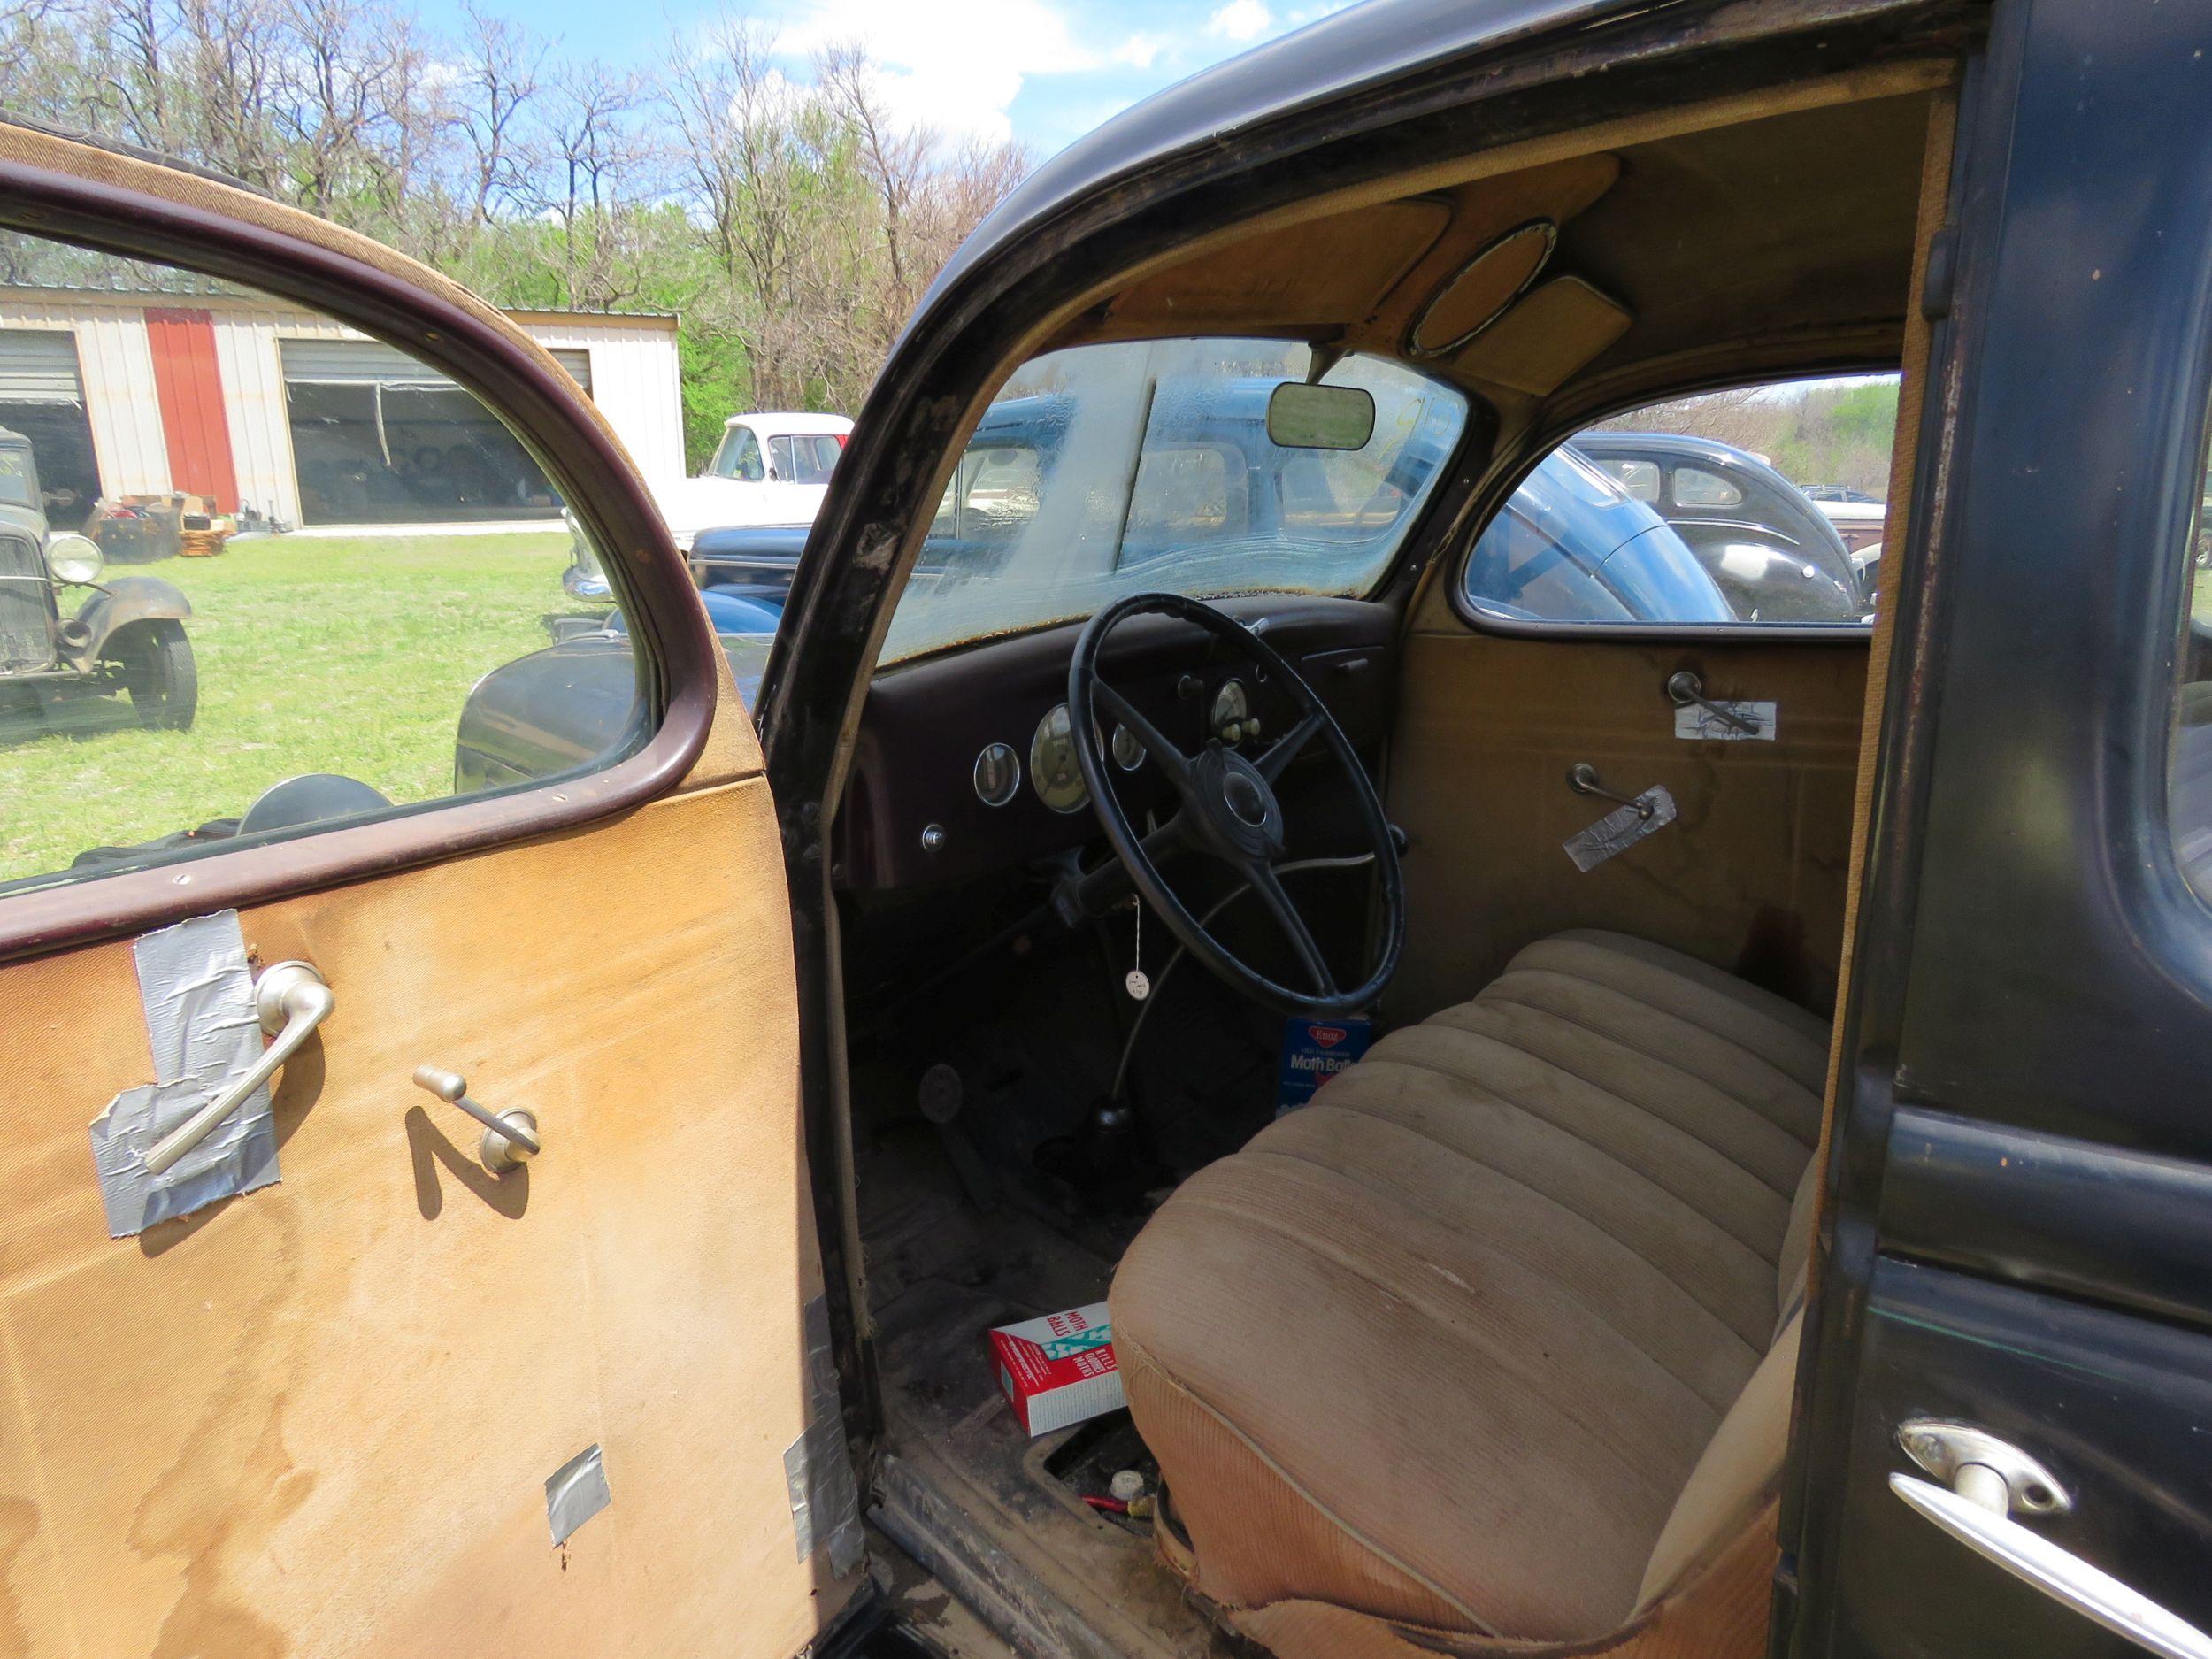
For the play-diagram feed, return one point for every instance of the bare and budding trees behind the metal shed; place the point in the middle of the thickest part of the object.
(786, 213)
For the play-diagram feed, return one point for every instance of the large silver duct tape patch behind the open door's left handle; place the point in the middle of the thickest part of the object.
(198, 994)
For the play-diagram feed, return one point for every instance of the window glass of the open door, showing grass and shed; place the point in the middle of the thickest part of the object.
(262, 574)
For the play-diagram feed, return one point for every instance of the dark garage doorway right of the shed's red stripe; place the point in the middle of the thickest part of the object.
(382, 439)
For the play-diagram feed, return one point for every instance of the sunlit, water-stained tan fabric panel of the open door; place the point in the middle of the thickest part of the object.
(317, 1419)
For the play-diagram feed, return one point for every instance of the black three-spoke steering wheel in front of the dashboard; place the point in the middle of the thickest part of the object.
(1229, 808)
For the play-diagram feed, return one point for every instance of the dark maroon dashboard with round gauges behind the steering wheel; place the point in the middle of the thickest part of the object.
(966, 762)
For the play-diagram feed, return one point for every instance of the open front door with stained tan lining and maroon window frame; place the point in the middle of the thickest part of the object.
(333, 1366)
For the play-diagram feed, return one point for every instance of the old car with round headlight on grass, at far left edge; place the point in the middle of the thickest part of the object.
(127, 638)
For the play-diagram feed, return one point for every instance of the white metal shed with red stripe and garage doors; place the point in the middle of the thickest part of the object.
(269, 410)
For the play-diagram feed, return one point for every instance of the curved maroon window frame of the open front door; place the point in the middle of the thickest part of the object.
(149, 211)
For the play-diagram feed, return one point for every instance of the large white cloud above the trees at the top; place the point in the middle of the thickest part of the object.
(943, 67)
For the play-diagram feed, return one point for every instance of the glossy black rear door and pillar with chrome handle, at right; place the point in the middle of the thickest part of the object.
(2003, 1441)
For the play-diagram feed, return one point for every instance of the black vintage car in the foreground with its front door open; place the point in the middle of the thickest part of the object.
(1768, 1220)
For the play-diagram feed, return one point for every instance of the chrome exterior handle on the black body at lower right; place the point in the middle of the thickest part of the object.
(1990, 1483)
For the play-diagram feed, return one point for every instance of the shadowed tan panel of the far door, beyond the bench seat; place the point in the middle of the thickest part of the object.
(1753, 873)
